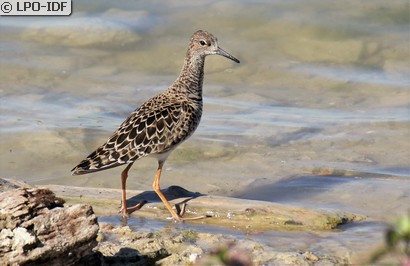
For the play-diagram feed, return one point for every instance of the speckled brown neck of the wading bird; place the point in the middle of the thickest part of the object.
(191, 78)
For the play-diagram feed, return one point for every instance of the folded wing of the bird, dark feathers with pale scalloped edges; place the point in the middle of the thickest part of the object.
(146, 131)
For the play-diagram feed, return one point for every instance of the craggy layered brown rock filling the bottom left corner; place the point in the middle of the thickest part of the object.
(37, 229)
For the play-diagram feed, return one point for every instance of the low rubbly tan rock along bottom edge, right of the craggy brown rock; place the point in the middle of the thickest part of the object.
(175, 247)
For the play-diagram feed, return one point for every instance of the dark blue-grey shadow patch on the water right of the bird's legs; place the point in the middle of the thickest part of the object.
(292, 189)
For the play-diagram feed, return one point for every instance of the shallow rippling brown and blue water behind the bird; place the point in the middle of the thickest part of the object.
(321, 88)
